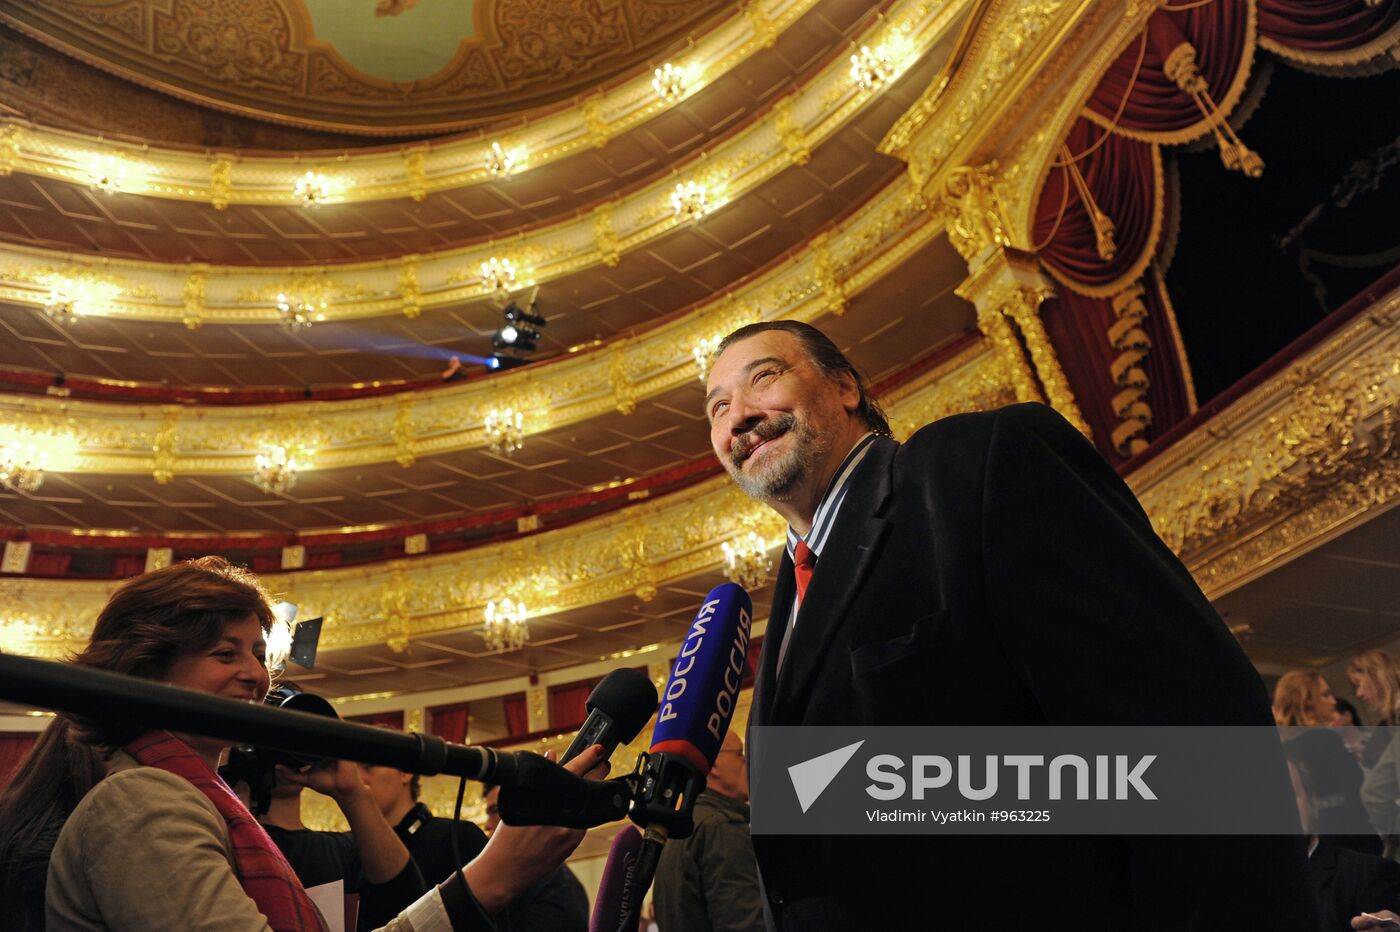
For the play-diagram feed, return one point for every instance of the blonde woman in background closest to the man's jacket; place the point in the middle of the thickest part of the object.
(1307, 713)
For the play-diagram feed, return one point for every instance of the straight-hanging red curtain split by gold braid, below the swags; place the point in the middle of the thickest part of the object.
(1079, 330)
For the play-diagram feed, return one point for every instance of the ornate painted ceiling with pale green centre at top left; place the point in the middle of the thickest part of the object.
(386, 68)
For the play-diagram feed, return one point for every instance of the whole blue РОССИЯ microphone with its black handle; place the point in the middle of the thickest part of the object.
(692, 723)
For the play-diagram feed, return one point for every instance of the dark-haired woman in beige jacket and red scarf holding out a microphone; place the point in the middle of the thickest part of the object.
(160, 842)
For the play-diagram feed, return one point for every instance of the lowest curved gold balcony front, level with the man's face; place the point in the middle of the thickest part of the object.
(628, 553)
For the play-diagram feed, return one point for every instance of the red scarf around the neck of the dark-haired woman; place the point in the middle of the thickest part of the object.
(262, 871)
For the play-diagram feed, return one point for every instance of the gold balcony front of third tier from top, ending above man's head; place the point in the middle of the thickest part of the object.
(120, 439)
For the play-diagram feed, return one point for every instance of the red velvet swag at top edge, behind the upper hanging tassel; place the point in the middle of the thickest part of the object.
(1150, 101)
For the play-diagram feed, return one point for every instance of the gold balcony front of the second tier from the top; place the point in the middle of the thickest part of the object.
(241, 295)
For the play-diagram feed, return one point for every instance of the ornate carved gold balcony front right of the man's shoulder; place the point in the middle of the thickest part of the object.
(1290, 464)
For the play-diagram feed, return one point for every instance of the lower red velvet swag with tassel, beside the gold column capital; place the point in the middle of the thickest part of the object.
(1123, 177)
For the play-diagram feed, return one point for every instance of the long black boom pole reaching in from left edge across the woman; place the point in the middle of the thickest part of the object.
(80, 691)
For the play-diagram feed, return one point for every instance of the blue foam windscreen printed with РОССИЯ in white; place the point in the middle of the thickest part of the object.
(705, 684)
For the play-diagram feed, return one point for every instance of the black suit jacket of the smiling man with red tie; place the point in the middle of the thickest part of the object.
(996, 572)
